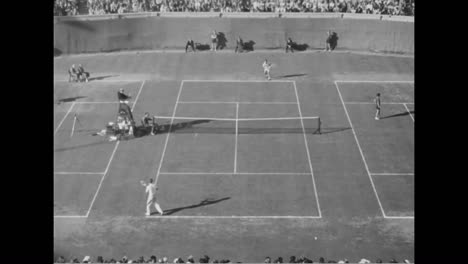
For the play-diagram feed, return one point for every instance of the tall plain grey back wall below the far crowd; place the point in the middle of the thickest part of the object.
(88, 34)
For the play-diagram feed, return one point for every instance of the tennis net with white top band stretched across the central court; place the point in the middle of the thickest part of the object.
(282, 125)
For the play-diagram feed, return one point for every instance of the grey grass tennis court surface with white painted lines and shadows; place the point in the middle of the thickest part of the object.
(242, 161)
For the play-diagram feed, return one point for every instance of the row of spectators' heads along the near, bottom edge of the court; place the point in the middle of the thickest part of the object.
(206, 259)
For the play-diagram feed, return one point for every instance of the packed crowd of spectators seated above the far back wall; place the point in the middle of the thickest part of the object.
(96, 7)
